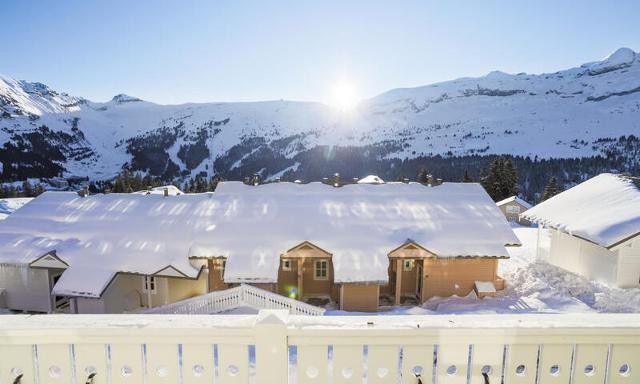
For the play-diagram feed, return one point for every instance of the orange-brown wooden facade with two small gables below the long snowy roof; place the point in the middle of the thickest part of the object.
(415, 275)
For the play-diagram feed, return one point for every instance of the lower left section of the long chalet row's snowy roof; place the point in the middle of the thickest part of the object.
(101, 235)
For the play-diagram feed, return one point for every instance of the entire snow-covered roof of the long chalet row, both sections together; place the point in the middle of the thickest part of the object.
(359, 224)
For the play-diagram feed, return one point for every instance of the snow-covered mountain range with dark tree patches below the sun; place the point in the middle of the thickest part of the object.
(578, 112)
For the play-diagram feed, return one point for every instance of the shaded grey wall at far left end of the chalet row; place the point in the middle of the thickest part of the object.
(25, 288)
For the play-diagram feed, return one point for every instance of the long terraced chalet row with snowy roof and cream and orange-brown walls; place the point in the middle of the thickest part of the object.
(359, 245)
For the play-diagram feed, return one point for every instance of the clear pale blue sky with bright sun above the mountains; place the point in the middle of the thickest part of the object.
(173, 52)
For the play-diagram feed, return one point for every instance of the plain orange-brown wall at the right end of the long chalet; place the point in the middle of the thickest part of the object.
(456, 276)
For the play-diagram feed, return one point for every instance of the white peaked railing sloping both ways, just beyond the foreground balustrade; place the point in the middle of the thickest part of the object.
(243, 295)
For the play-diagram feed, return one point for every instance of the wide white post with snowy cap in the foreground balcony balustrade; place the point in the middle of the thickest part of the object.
(271, 346)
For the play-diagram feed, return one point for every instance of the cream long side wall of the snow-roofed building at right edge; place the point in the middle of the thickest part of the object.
(582, 257)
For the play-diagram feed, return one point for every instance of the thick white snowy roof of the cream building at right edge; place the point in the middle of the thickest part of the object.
(604, 209)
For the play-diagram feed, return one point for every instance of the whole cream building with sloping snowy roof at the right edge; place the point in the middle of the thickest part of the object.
(593, 229)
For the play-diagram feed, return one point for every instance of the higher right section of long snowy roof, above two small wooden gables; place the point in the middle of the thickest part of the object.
(359, 224)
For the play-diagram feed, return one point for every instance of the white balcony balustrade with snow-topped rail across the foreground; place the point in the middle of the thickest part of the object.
(274, 347)
